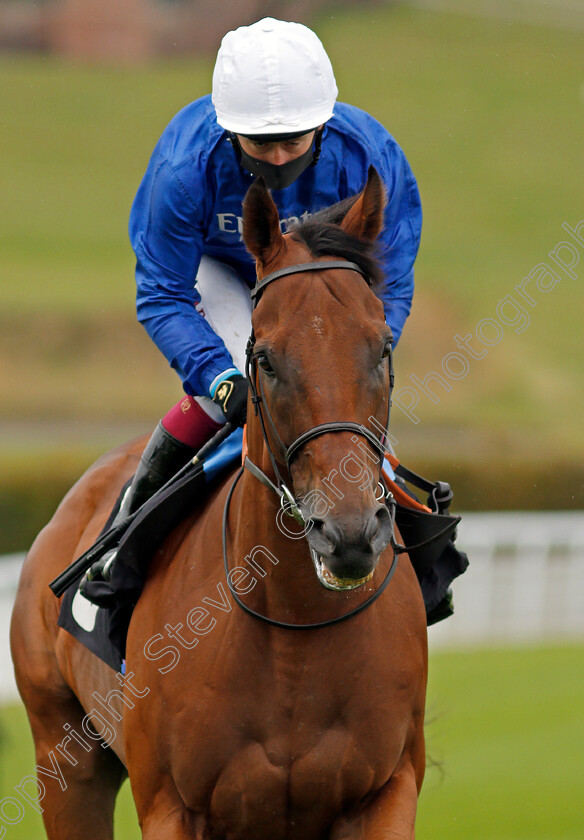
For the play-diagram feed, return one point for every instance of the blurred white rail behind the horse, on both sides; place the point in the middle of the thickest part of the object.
(525, 583)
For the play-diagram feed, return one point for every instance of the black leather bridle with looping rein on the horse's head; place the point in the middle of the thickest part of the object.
(287, 500)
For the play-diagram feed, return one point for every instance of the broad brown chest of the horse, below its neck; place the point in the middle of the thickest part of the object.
(280, 734)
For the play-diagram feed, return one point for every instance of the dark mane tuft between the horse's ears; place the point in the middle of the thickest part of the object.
(323, 236)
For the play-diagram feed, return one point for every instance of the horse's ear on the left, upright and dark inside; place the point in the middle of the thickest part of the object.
(261, 224)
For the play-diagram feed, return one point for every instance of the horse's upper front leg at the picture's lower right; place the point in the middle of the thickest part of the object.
(391, 814)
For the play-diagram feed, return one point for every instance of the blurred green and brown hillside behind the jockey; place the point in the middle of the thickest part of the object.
(491, 116)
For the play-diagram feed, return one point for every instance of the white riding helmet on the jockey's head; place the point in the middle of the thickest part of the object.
(273, 77)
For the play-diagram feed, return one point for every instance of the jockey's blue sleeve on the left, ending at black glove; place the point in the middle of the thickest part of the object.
(167, 236)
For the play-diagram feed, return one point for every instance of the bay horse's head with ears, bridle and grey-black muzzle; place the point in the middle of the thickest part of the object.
(321, 355)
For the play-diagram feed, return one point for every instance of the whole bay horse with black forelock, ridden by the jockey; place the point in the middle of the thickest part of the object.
(274, 684)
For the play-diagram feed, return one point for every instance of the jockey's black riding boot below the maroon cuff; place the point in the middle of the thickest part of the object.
(162, 458)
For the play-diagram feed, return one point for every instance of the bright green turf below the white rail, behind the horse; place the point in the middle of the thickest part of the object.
(504, 734)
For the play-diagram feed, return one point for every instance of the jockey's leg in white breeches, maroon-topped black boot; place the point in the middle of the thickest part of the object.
(226, 304)
